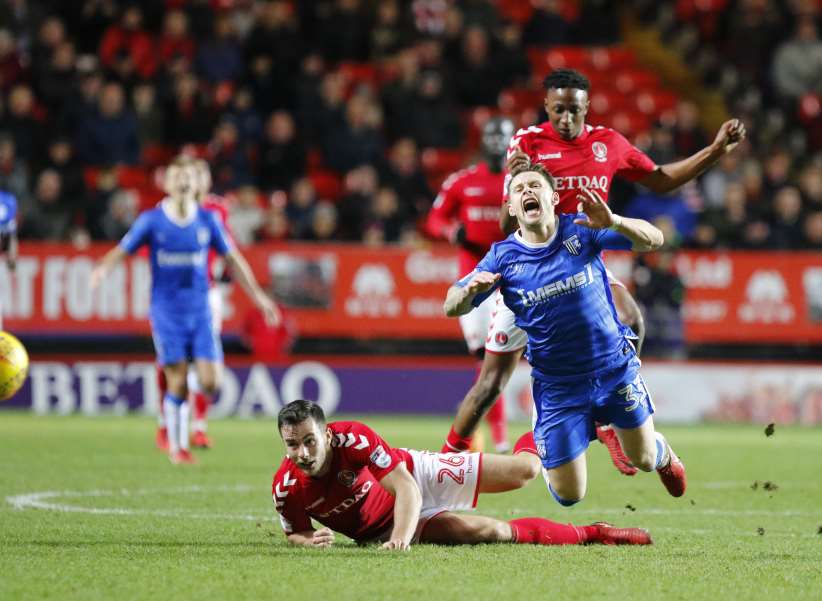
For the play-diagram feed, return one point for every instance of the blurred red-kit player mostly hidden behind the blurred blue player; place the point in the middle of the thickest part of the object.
(218, 280)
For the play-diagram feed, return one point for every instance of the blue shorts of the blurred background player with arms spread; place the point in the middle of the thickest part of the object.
(181, 336)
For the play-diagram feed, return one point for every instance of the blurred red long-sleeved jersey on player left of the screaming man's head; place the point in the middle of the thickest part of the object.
(470, 196)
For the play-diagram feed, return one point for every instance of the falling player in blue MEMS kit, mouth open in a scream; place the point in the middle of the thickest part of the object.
(584, 366)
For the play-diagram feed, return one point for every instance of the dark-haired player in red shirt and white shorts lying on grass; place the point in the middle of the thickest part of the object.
(346, 477)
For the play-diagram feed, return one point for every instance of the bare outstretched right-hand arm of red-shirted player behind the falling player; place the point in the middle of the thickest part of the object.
(672, 175)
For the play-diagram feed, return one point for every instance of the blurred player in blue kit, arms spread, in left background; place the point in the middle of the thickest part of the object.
(179, 234)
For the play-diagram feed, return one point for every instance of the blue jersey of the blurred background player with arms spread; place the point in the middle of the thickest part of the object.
(178, 255)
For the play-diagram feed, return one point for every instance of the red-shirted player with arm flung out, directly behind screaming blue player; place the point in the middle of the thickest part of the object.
(579, 155)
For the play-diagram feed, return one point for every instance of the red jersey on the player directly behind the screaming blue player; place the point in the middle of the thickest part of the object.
(590, 160)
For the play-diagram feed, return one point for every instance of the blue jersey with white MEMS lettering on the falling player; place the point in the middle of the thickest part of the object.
(559, 294)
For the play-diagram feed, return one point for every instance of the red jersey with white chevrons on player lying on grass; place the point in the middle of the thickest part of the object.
(349, 498)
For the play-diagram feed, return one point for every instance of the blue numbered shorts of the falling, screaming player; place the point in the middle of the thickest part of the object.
(567, 411)
